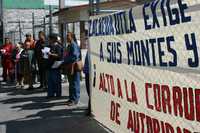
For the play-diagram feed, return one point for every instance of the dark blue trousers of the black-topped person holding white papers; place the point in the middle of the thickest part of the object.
(54, 83)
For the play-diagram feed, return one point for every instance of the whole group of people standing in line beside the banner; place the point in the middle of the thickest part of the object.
(47, 58)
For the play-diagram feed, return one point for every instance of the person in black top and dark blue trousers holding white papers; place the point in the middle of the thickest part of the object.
(54, 74)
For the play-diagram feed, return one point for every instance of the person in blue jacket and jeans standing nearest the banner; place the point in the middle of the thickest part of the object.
(73, 55)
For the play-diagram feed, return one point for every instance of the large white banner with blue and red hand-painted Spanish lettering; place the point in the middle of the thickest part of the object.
(145, 68)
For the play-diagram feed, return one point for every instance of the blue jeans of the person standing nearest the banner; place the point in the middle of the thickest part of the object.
(74, 86)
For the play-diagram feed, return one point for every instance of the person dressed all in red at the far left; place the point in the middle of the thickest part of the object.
(6, 51)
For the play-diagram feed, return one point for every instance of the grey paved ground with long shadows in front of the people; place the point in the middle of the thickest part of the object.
(23, 111)
